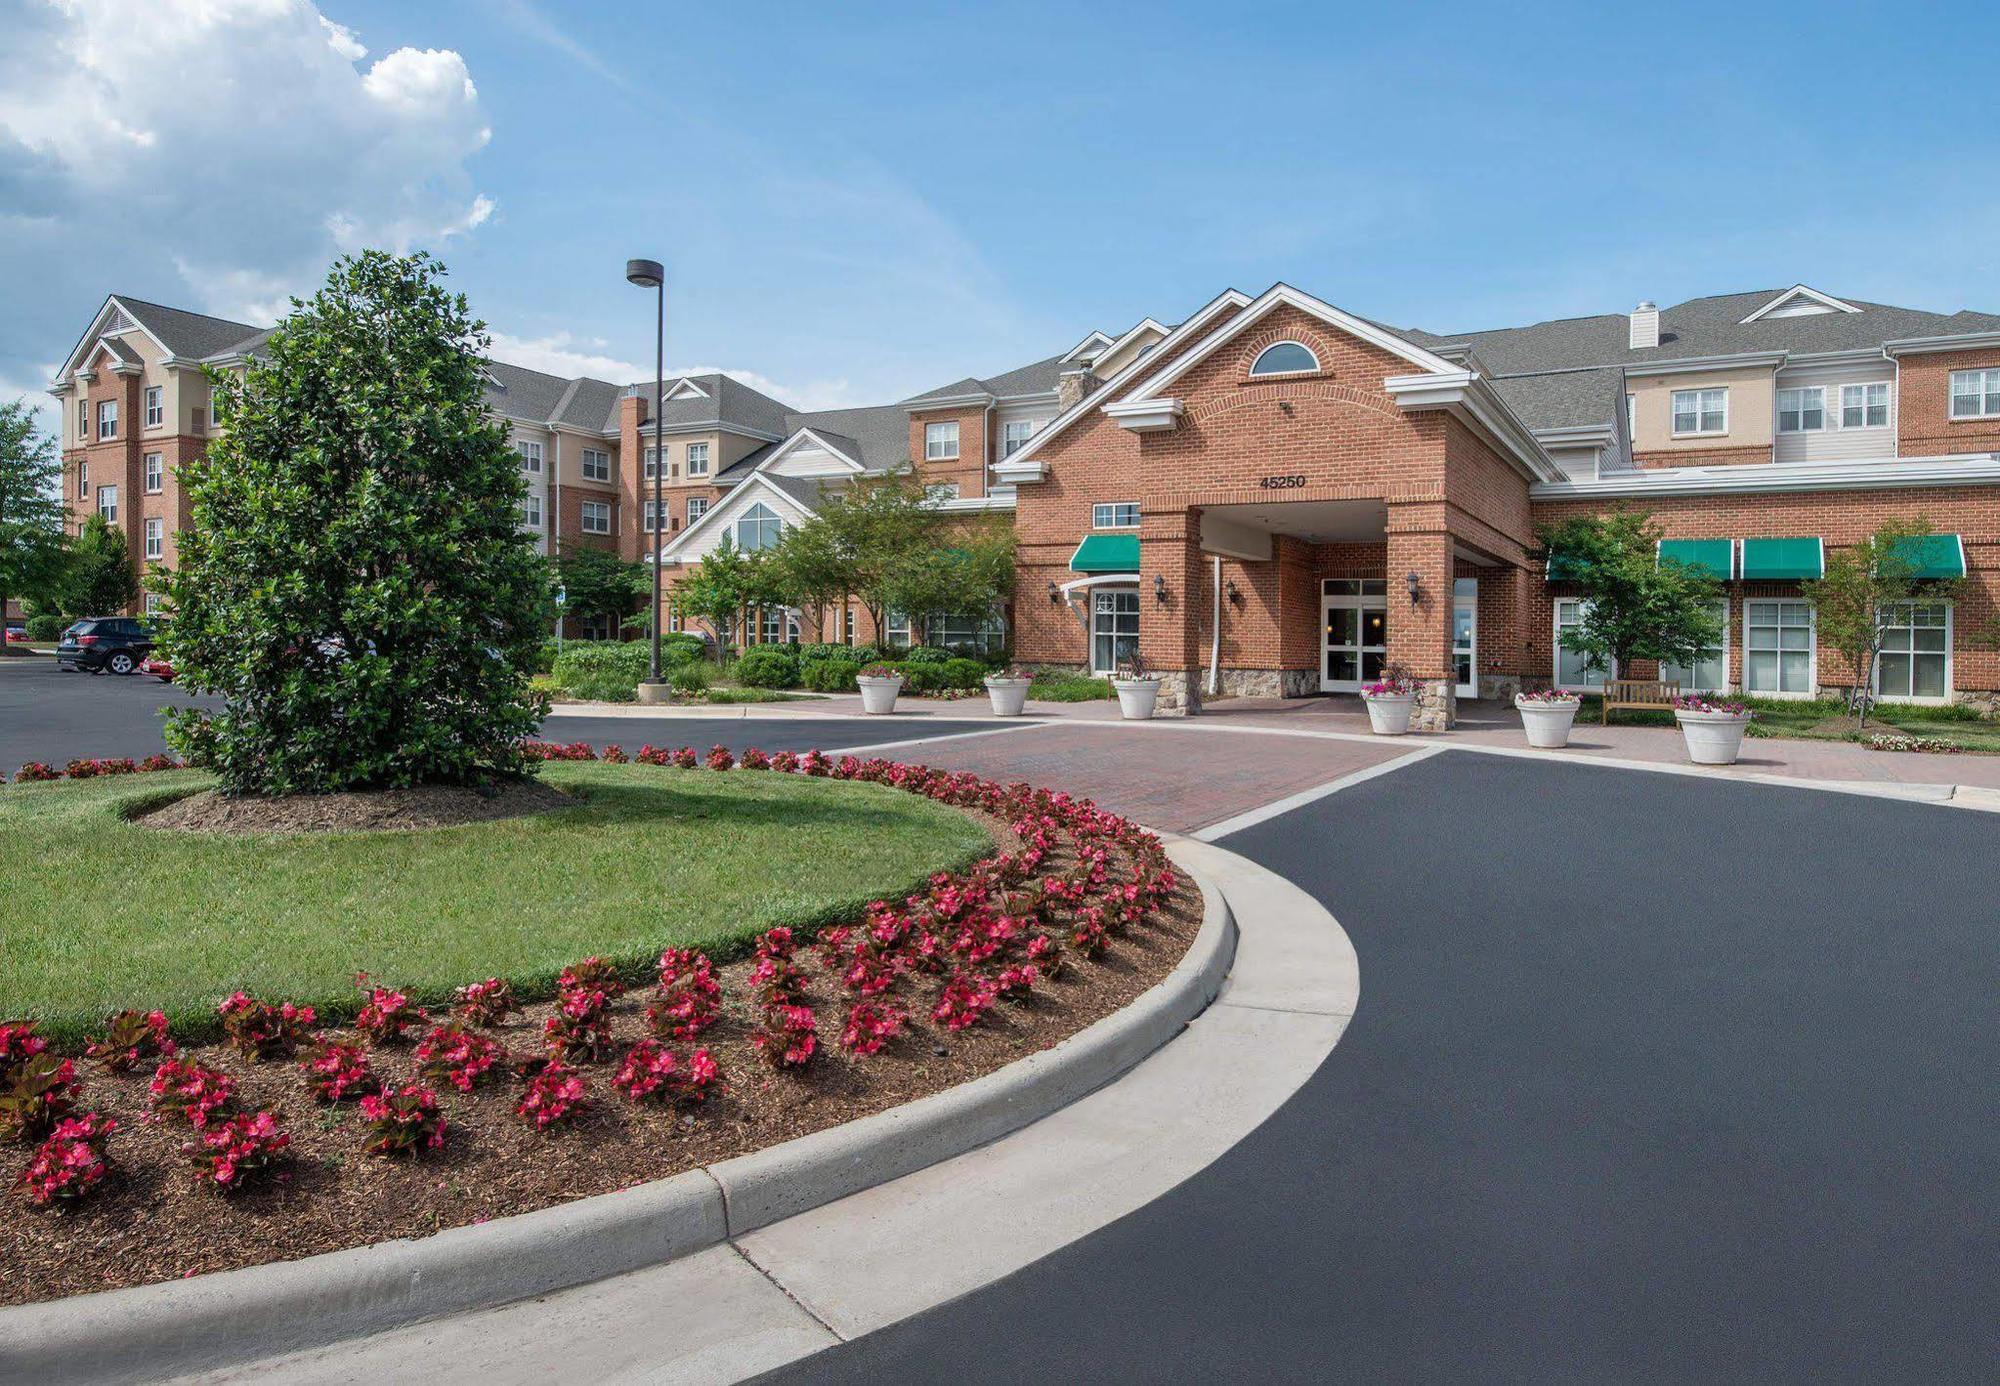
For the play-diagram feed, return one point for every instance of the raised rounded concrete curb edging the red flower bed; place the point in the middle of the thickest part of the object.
(235, 1317)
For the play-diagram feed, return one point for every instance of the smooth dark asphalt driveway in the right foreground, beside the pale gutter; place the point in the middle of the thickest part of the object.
(1653, 1079)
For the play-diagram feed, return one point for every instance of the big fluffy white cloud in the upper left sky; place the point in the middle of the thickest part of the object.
(237, 141)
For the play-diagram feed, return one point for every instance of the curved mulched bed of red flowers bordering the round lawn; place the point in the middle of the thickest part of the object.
(143, 1159)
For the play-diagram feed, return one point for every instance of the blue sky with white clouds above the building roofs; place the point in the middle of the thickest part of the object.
(859, 203)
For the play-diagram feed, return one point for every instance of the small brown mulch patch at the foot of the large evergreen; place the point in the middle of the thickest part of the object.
(361, 811)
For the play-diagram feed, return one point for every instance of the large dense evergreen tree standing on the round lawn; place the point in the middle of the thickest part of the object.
(355, 583)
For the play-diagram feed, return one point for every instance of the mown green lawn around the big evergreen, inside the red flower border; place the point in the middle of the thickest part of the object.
(101, 915)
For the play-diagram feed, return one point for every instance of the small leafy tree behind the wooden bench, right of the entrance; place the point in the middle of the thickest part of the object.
(1637, 605)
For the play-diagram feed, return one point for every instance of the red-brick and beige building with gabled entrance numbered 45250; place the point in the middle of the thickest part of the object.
(1275, 495)
